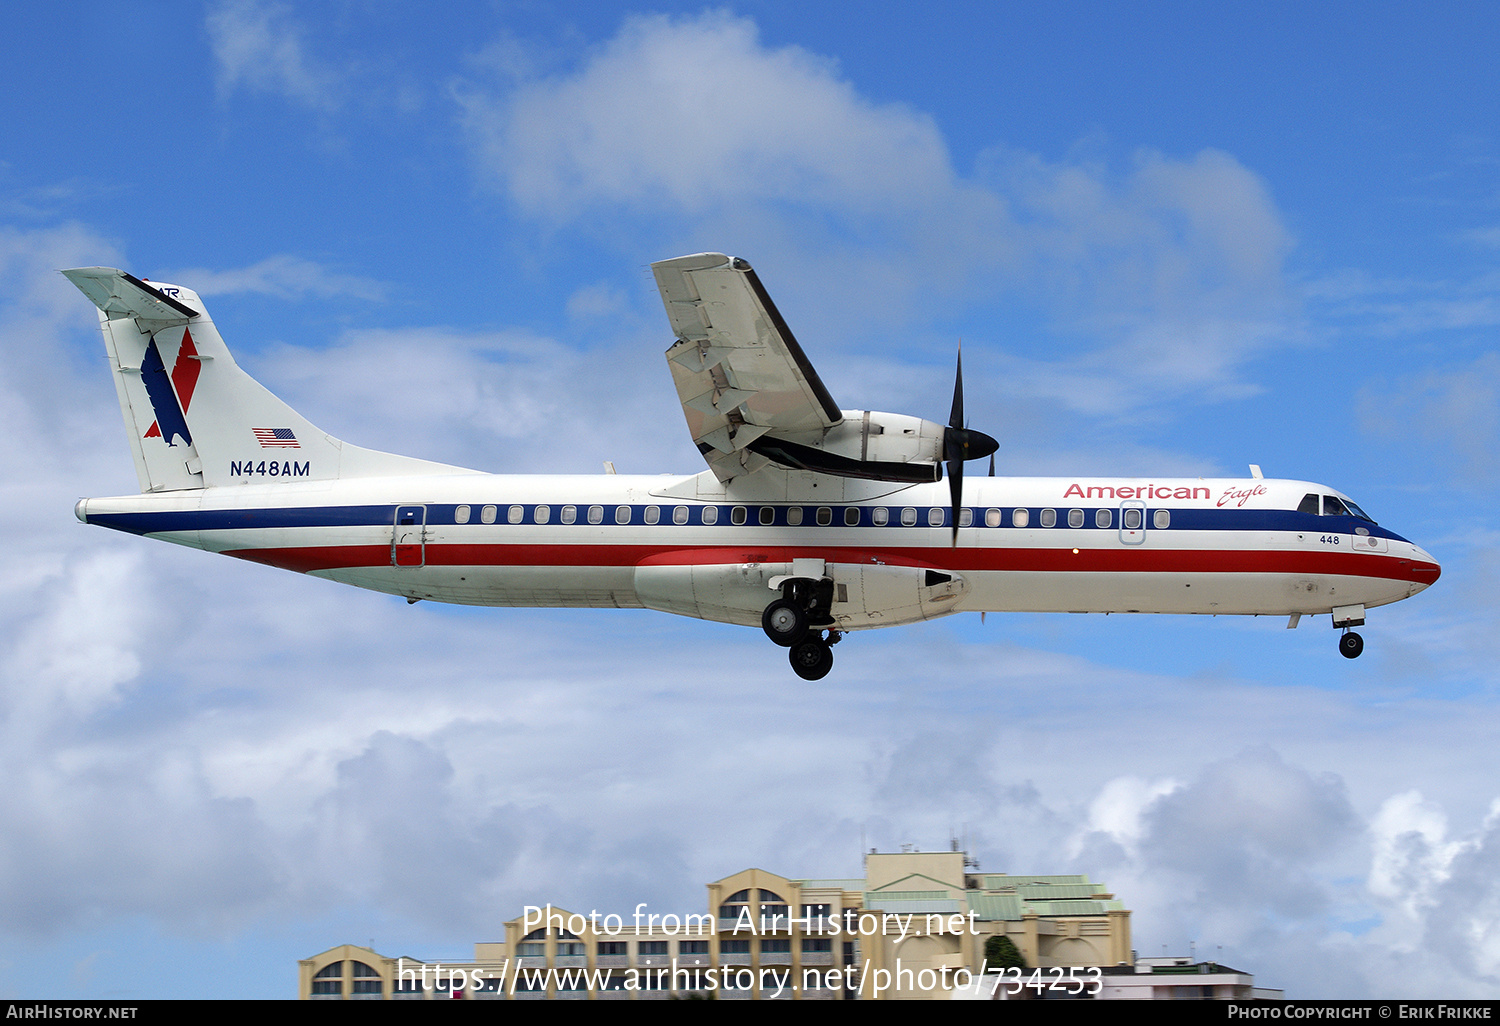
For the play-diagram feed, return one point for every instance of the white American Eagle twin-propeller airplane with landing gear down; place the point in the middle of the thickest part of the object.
(811, 521)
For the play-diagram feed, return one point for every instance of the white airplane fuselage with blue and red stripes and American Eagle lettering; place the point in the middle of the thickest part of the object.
(688, 545)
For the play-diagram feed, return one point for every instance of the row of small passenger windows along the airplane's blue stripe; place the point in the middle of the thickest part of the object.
(1132, 518)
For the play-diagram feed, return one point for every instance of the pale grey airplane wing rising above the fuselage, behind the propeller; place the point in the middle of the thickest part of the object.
(739, 370)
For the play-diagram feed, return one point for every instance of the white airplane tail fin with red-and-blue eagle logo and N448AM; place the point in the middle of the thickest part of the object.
(194, 418)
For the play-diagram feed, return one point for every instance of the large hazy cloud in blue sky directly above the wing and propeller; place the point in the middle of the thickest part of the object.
(692, 131)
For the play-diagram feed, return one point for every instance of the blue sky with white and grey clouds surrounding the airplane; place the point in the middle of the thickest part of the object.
(1172, 238)
